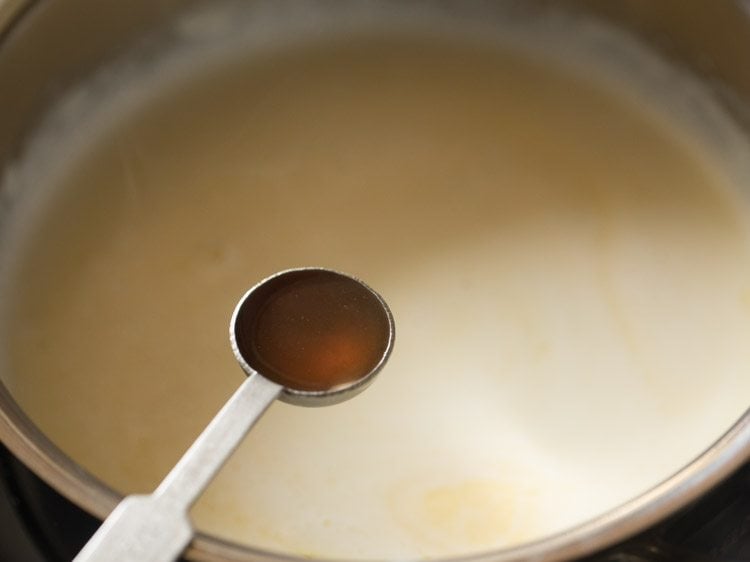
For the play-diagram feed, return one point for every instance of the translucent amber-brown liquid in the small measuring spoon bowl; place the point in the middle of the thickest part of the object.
(313, 330)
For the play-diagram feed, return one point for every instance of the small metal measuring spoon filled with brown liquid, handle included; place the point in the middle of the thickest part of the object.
(307, 336)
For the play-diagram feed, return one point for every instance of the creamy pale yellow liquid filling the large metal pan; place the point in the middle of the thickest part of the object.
(567, 262)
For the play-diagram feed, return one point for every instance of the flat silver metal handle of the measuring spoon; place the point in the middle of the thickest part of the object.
(156, 528)
